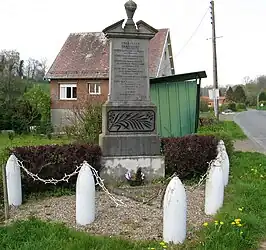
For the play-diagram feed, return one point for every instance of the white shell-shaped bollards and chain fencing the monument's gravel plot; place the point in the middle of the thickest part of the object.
(174, 201)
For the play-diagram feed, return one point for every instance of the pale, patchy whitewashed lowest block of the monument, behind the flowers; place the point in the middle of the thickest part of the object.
(115, 168)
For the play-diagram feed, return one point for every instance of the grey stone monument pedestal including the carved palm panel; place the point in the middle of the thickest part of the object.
(129, 130)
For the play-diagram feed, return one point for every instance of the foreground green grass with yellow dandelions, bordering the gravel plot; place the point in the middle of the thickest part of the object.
(245, 199)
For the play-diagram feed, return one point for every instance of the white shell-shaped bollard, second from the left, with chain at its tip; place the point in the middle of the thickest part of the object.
(85, 196)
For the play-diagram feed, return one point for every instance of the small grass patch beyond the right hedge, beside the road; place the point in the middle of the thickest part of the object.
(229, 127)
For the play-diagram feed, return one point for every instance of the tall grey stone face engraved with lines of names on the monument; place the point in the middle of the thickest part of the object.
(129, 70)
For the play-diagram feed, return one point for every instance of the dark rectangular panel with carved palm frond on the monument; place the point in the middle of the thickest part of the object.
(131, 120)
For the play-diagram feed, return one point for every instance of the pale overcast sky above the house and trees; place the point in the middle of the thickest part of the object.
(38, 29)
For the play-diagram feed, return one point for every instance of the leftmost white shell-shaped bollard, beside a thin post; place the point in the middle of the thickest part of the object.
(13, 181)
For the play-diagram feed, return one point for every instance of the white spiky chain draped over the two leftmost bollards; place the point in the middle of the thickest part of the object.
(66, 178)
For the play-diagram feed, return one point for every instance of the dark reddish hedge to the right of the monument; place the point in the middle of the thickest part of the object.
(188, 156)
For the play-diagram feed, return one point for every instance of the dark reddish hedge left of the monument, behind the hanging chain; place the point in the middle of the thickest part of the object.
(54, 161)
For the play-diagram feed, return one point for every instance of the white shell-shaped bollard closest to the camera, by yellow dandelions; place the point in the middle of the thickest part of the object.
(174, 212)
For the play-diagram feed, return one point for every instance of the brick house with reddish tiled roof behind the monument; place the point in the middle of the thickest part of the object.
(80, 71)
